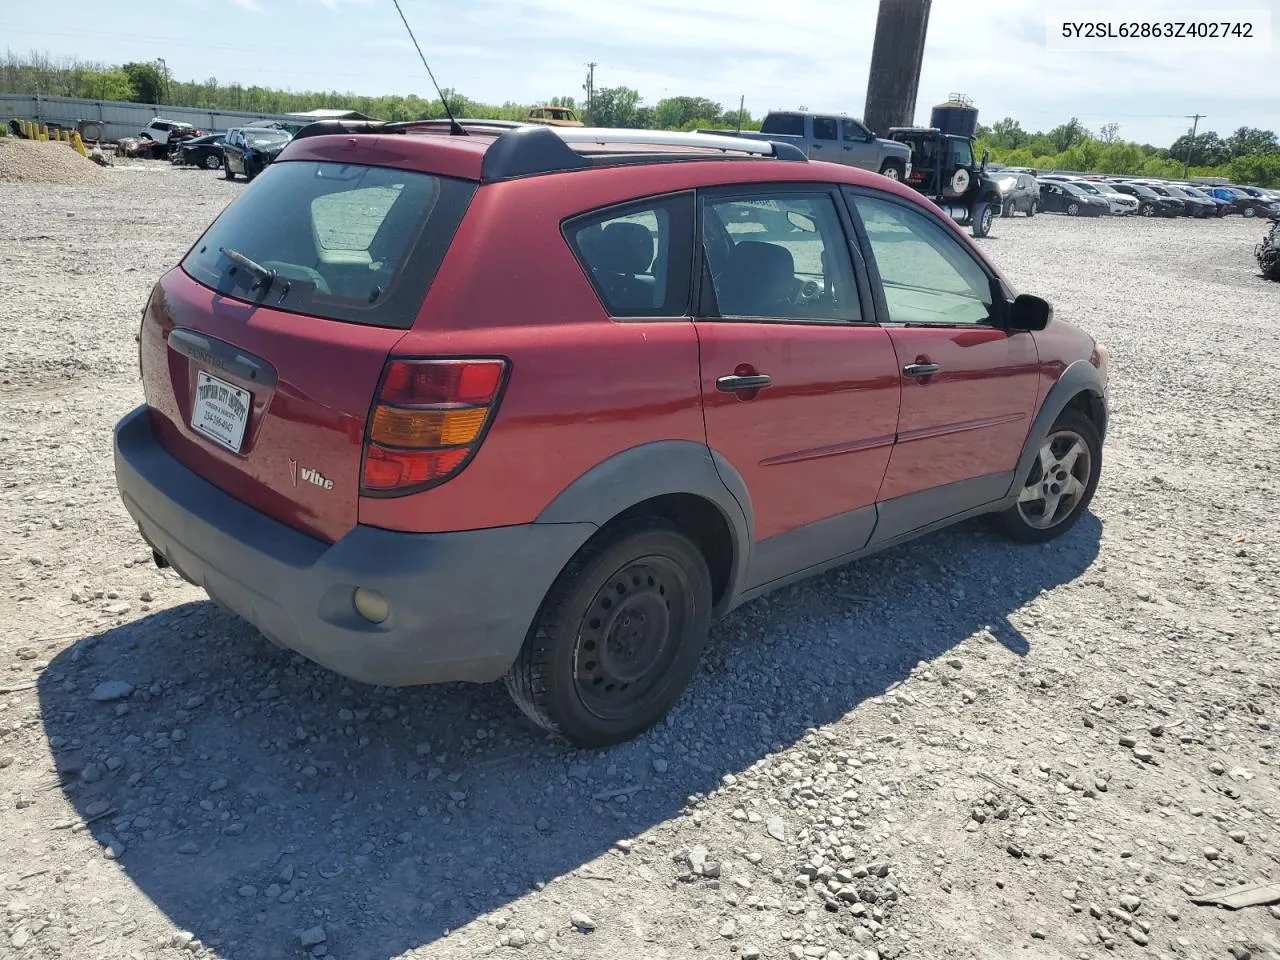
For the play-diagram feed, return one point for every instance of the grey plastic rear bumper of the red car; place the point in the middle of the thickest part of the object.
(461, 604)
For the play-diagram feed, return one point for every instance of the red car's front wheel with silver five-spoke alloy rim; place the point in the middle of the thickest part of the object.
(1026, 522)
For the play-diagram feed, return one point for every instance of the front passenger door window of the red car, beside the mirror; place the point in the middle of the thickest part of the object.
(927, 276)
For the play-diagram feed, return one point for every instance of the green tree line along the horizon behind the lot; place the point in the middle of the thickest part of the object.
(1247, 156)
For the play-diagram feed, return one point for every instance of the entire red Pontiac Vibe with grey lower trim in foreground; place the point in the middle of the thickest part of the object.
(349, 371)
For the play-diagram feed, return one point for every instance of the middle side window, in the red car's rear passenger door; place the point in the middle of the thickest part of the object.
(781, 258)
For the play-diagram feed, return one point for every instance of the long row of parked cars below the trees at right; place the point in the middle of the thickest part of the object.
(1031, 193)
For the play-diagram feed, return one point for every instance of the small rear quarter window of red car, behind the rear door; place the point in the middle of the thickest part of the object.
(638, 257)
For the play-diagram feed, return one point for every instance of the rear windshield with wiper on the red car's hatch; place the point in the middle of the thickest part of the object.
(345, 241)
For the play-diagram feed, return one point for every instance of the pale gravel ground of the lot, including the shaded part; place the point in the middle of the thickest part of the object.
(958, 749)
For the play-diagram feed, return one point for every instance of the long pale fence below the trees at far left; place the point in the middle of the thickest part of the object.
(122, 120)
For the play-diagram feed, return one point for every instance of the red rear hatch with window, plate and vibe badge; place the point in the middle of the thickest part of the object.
(263, 353)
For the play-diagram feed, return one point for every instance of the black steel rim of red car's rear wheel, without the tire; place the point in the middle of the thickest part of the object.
(627, 642)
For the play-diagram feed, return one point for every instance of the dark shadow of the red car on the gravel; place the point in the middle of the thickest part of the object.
(250, 794)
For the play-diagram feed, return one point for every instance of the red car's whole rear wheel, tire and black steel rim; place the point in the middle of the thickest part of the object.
(618, 638)
